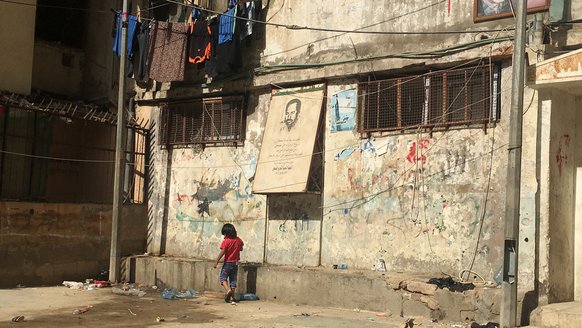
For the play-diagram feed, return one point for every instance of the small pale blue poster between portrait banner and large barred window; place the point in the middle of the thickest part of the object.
(343, 110)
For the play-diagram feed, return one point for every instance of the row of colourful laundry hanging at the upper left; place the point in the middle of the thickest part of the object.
(159, 49)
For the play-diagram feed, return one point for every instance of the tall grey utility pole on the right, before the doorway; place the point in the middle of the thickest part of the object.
(513, 187)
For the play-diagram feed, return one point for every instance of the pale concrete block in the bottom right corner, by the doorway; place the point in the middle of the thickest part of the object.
(558, 315)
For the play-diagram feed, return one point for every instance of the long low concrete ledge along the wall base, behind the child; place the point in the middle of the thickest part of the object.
(397, 294)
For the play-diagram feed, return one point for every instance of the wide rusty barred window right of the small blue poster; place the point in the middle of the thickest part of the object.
(442, 99)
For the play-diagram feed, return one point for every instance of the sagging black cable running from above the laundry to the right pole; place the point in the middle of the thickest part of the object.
(320, 29)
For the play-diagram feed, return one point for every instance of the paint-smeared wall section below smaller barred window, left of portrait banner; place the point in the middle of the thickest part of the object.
(212, 186)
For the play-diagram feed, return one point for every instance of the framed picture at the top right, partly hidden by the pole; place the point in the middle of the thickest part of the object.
(486, 10)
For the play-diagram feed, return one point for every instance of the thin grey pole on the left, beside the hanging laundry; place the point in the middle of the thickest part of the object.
(114, 257)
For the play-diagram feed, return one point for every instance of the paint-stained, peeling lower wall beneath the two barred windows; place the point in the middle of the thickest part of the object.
(420, 212)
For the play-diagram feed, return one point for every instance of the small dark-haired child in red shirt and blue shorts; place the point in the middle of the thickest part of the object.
(230, 248)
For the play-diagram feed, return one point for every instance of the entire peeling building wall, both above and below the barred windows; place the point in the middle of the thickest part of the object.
(419, 206)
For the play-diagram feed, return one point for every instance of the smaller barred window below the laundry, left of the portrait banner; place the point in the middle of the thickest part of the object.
(202, 121)
